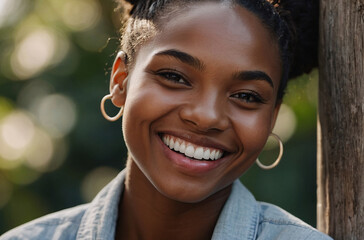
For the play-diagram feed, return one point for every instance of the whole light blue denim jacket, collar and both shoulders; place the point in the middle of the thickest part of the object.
(242, 217)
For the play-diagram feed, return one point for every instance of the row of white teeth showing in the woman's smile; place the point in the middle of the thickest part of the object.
(191, 150)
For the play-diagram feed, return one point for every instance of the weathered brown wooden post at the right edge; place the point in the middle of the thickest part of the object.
(341, 114)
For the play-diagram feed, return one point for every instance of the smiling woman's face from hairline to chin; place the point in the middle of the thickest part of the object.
(206, 86)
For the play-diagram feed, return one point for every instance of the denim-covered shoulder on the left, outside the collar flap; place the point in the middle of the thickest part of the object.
(63, 224)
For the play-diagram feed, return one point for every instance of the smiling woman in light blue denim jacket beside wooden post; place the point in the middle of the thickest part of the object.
(199, 84)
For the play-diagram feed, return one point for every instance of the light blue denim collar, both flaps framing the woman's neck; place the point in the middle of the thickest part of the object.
(238, 220)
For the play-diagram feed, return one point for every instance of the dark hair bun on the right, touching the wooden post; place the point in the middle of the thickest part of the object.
(304, 16)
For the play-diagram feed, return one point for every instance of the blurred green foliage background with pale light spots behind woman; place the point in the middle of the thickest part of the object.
(57, 151)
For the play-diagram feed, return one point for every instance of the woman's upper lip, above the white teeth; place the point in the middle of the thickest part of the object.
(199, 140)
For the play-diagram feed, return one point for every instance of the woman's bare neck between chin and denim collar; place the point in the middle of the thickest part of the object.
(144, 213)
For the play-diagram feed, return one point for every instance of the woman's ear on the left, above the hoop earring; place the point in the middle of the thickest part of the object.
(118, 80)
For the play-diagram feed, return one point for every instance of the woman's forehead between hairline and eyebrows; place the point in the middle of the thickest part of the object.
(220, 32)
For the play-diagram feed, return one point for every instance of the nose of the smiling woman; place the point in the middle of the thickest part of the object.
(205, 113)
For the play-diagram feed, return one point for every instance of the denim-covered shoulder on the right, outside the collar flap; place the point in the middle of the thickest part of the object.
(276, 223)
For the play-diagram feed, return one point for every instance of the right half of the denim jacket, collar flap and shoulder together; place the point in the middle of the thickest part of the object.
(242, 217)
